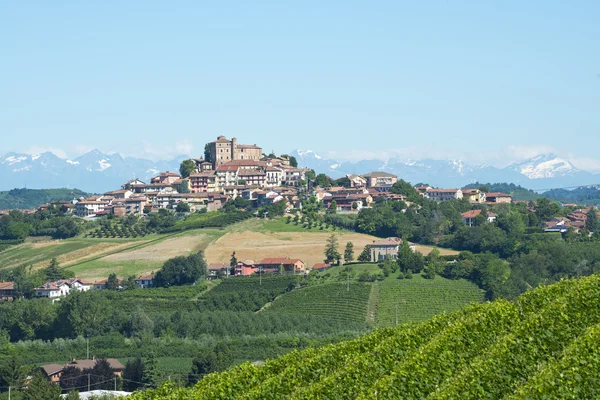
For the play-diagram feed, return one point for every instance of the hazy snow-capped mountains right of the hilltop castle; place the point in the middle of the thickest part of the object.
(541, 172)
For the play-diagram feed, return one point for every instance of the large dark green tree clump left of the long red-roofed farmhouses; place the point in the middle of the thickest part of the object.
(181, 270)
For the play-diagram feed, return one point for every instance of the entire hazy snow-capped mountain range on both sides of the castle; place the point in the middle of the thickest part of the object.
(97, 172)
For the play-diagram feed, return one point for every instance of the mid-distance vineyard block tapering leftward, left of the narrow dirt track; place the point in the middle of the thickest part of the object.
(334, 301)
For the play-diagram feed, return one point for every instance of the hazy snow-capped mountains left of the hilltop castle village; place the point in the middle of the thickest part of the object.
(93, 172)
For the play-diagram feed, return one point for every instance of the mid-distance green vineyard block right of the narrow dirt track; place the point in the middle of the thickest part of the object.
(418, 299)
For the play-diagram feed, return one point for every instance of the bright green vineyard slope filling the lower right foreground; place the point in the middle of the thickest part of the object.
(543, 345)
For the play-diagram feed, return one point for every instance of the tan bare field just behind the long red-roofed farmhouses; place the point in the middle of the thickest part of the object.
(307, 246)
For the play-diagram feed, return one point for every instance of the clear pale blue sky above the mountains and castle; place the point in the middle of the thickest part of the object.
(484, 81)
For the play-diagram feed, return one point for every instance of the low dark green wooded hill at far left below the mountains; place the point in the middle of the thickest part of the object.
(33, 198)
